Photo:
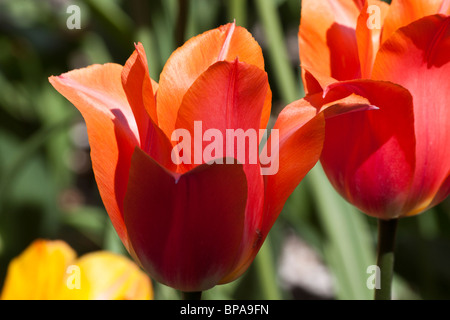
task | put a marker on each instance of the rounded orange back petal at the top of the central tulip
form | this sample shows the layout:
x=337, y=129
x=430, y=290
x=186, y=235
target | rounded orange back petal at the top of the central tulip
x=188, y=62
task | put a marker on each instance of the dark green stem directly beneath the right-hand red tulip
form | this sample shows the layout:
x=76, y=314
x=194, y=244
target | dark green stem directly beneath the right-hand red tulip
x=385, y=257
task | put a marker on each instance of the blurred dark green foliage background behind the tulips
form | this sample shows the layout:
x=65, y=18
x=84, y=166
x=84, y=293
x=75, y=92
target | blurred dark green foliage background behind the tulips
x=320, y=247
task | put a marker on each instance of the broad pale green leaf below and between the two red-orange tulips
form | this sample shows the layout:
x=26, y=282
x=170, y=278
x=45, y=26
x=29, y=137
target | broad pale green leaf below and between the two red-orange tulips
x=349, y=248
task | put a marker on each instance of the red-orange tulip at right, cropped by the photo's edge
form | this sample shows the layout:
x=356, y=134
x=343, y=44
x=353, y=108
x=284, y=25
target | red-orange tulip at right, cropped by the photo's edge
x=395, y=161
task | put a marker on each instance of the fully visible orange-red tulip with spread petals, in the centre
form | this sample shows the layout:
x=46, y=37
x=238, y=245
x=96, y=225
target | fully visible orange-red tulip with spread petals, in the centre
x=191, y=217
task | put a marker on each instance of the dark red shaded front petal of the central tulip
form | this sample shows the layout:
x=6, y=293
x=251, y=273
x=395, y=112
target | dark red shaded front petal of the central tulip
x=185, y=229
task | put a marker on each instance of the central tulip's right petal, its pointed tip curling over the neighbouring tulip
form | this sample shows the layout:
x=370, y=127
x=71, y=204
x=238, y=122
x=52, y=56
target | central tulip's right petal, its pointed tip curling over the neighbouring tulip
x=301, y=132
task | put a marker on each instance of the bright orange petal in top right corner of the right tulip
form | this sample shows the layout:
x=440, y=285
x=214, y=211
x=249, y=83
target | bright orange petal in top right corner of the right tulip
x=404, y=12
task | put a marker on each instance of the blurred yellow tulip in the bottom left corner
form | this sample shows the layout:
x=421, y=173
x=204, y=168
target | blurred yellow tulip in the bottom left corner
x=50, y=270
